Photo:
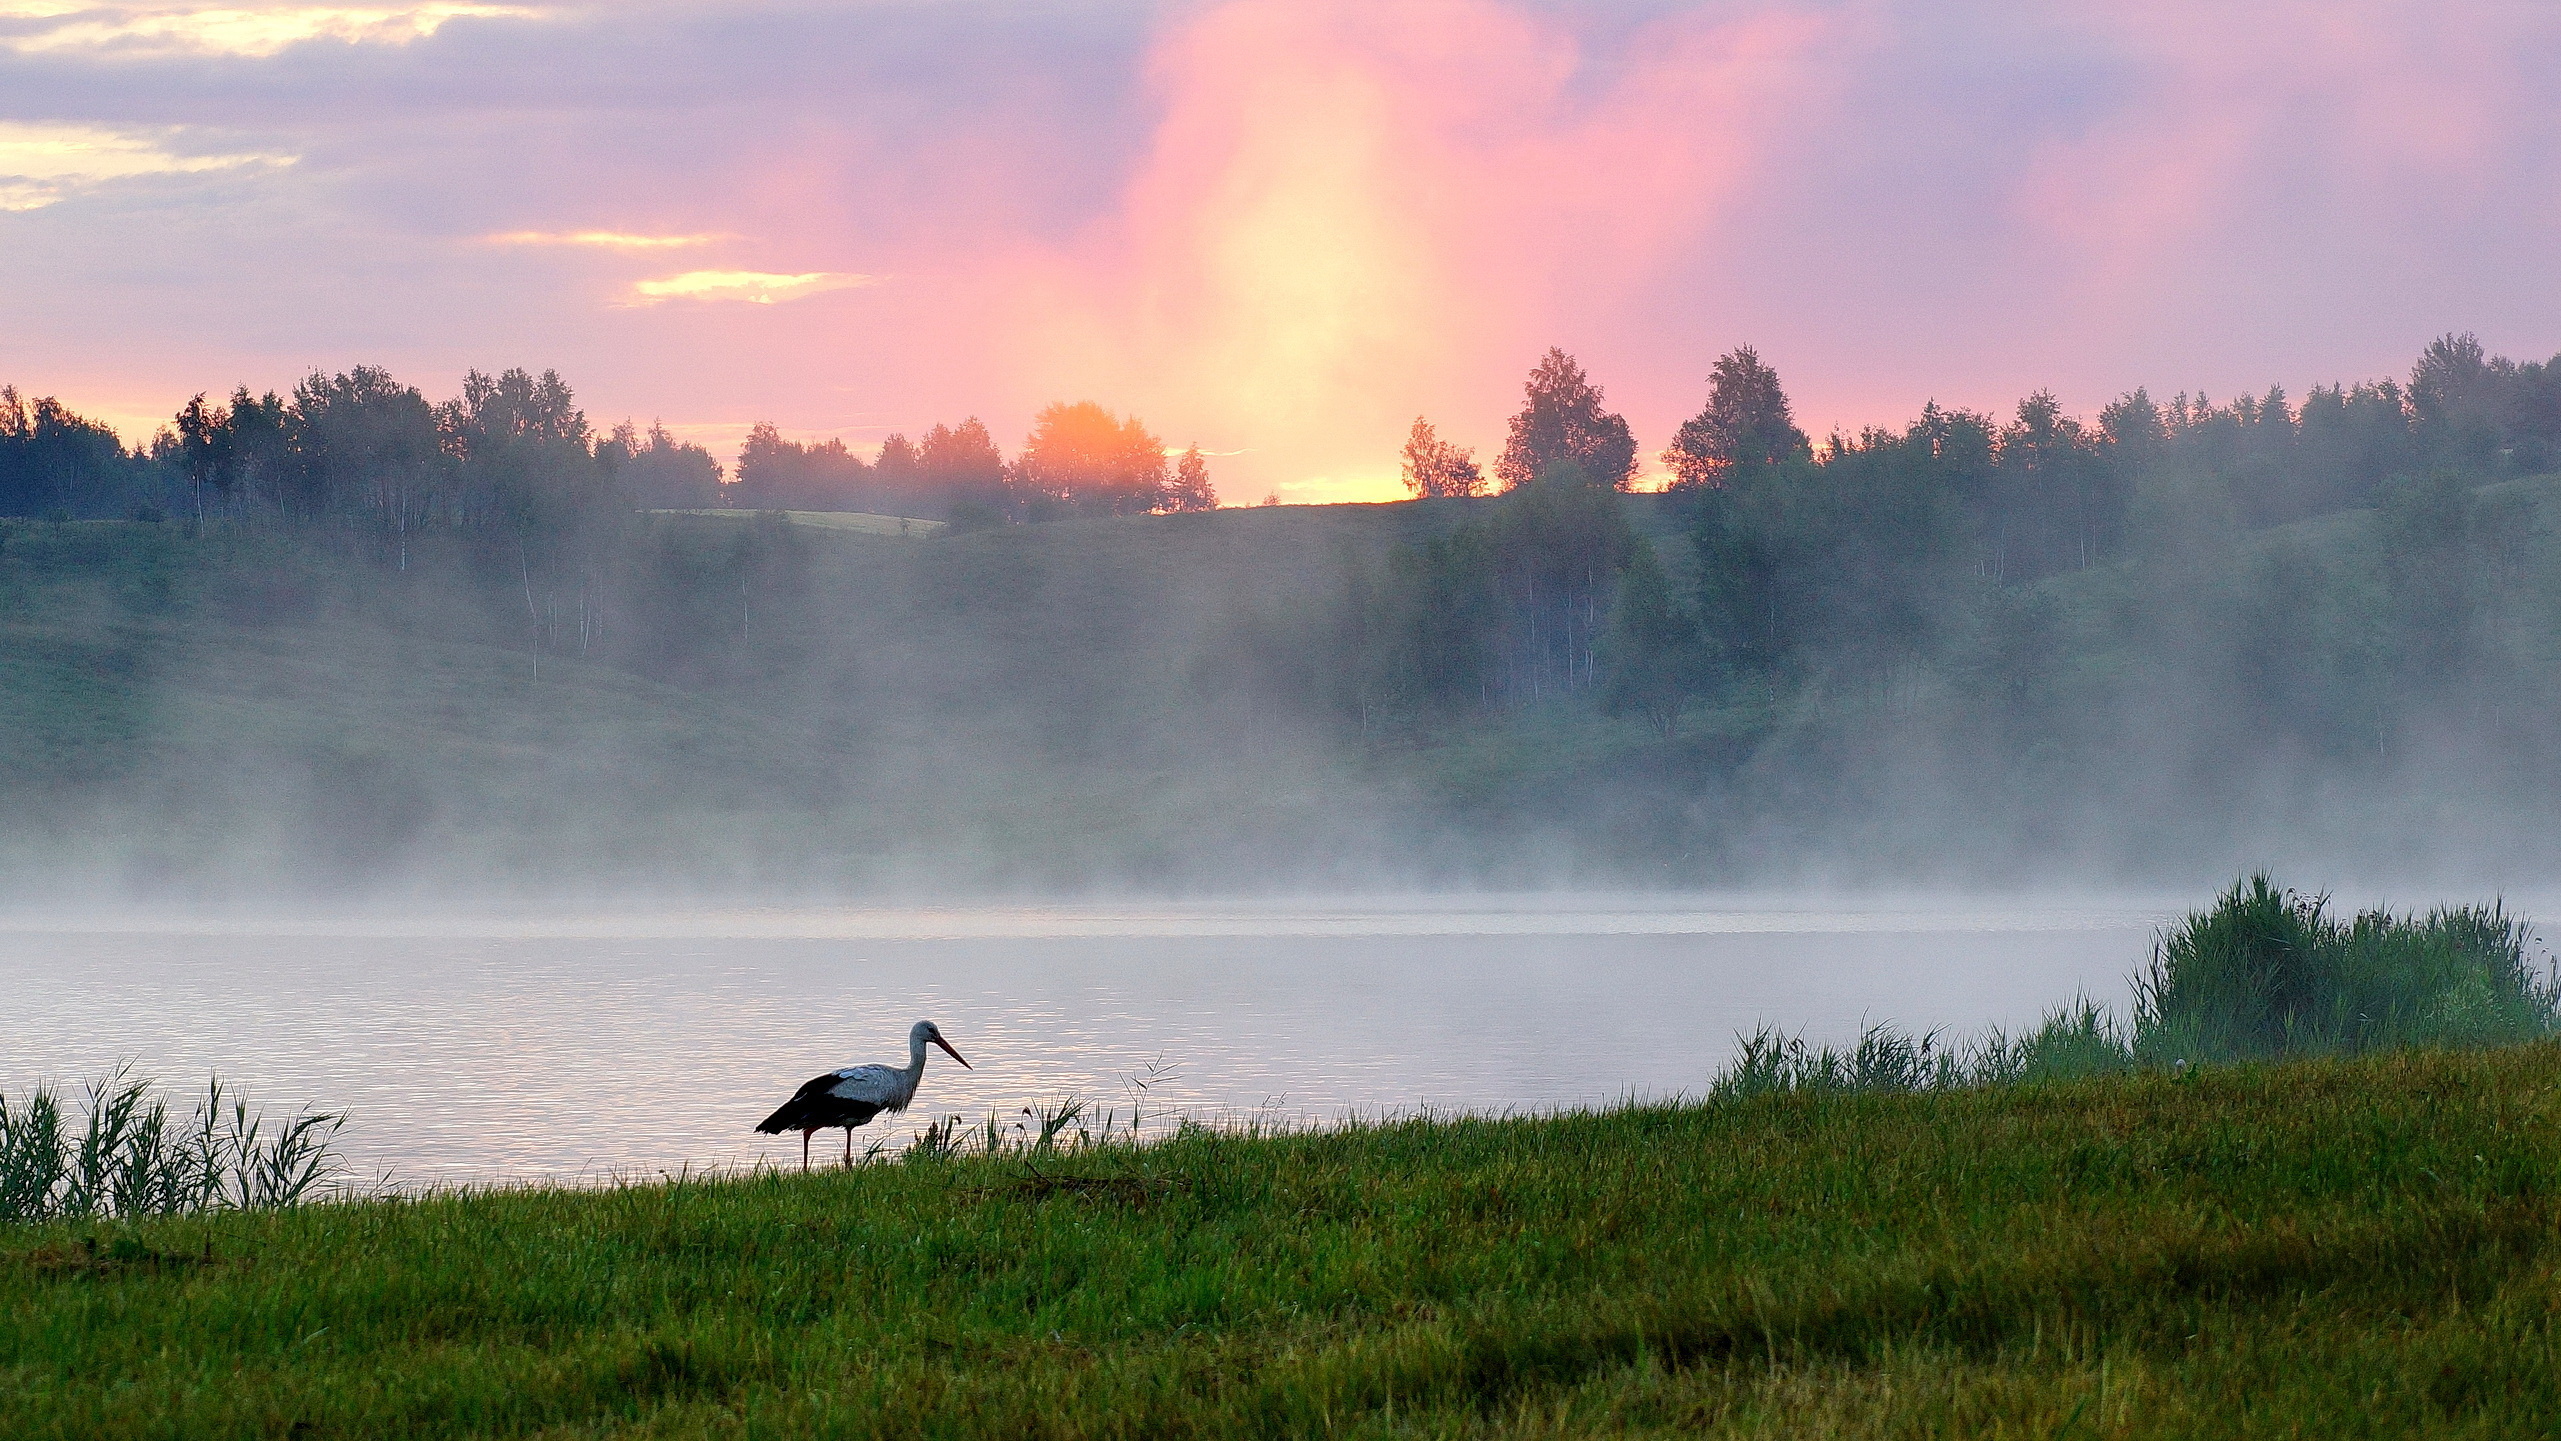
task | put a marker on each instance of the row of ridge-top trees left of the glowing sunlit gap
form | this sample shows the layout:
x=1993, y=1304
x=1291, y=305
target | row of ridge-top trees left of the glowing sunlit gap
x=513, y=457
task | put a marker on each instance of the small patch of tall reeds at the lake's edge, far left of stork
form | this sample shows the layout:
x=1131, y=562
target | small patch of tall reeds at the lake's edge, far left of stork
x=127, y=1156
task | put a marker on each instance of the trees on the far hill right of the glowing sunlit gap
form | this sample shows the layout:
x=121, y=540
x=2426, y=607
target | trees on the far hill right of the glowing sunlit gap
x=1866, y=549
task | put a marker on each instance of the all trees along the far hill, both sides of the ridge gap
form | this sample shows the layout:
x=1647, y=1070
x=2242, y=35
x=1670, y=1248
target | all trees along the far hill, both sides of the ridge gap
x=1540, y=585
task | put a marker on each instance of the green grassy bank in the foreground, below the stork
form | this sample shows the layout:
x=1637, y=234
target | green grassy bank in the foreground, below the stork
x=2363, y=1248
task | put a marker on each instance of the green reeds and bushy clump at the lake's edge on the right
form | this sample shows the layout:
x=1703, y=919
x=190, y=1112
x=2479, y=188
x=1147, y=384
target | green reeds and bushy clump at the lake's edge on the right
x=2265, y=974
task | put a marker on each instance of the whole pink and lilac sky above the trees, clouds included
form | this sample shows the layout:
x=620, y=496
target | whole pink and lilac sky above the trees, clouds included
x=1277, y=229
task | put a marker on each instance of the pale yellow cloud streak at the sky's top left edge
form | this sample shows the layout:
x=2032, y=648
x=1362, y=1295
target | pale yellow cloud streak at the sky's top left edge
x=232, y=29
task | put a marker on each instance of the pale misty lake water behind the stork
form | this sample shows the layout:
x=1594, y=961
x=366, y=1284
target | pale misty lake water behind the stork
x=483, y=1051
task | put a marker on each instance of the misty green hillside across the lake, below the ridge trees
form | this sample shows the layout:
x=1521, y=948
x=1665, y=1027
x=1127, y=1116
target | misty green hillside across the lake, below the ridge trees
x=721, y=703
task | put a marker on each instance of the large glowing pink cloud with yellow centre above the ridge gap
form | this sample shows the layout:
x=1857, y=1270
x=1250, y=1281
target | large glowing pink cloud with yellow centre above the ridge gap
x=1353, y=214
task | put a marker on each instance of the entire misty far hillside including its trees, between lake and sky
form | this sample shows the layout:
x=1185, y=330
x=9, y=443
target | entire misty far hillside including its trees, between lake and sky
x=2163, y=641
